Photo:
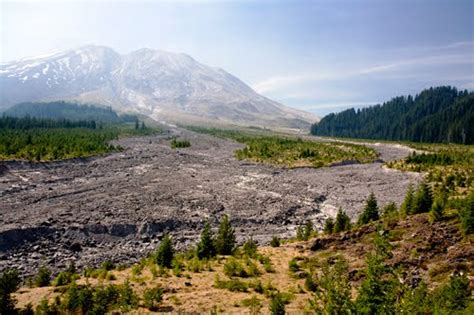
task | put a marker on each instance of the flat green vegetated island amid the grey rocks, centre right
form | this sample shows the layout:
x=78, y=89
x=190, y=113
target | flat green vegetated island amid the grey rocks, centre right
x=292, y=152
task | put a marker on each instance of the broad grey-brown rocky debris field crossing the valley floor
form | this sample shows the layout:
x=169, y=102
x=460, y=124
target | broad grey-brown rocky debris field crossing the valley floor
x=116, y=207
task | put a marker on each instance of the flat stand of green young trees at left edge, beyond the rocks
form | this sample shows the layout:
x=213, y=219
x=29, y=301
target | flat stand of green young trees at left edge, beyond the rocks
x=38, y=139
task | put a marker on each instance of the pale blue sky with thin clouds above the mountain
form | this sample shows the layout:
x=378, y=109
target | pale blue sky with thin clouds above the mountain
x=320, y=56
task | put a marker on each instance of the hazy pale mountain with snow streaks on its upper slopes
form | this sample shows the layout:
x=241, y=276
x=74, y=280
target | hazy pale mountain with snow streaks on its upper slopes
x=167, y=86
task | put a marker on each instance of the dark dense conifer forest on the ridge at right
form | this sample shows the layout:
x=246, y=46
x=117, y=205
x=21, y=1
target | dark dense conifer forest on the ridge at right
x=441, y=114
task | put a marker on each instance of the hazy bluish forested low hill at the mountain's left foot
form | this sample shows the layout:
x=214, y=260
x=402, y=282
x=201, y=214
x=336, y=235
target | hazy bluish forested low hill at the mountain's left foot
x=70, y=111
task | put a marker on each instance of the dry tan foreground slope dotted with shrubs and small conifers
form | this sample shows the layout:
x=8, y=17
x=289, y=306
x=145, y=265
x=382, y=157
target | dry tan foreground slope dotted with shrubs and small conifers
x=417, y=264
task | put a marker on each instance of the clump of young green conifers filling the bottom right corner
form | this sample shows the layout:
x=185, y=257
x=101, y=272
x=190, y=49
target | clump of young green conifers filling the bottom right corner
x=382, y=291
